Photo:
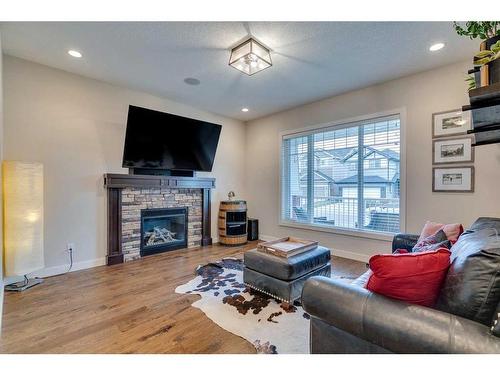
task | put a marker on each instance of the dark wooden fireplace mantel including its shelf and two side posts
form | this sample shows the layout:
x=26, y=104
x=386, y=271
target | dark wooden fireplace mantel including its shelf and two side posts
x=114, y=183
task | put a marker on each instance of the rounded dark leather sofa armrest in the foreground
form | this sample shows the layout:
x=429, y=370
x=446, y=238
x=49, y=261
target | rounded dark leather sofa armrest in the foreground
x=394, y=325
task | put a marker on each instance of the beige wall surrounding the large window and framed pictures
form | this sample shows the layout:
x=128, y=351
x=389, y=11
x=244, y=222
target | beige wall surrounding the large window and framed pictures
x=422, y=94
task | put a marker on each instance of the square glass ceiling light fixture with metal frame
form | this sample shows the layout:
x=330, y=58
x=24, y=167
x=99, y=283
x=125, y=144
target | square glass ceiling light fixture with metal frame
x=250, y=57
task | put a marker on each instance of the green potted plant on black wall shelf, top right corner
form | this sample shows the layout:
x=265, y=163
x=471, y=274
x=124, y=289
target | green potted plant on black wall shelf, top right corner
x=488, y=59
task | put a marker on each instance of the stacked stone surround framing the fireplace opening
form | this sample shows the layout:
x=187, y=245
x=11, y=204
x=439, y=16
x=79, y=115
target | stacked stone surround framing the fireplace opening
x=136, y=199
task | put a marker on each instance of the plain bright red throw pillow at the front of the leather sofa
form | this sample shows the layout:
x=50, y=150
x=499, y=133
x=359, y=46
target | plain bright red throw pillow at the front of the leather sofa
x=413, y=277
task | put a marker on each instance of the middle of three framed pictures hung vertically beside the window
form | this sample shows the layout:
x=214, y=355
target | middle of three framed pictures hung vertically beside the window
x=452, y=150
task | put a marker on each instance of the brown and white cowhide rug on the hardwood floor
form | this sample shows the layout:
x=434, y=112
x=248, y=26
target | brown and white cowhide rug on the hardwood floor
x=270, y=325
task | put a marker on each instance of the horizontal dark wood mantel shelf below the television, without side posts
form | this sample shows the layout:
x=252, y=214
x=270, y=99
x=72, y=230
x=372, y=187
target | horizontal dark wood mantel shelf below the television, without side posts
x=121, y=181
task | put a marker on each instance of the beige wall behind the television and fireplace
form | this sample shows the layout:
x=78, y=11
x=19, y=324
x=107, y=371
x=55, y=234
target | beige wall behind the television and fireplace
x=75, y=126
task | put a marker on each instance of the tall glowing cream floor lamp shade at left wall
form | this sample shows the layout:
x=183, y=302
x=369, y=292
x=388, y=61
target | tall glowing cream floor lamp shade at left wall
x=23, y=217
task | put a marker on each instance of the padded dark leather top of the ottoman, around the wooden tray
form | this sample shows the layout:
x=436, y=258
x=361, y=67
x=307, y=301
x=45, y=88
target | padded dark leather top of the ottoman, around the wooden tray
x=287, y=268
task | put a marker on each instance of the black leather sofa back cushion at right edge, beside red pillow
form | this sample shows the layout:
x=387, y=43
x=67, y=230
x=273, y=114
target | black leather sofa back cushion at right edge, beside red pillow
x=472, y=286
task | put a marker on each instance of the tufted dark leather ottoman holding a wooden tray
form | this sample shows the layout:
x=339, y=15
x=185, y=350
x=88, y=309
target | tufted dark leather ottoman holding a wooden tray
x=283, y=278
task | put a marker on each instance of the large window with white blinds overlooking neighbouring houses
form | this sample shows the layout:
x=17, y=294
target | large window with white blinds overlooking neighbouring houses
x=358, y=188
